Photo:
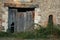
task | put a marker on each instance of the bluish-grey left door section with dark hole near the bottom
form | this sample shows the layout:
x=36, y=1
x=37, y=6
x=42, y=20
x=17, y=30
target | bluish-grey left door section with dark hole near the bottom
x=12, y=20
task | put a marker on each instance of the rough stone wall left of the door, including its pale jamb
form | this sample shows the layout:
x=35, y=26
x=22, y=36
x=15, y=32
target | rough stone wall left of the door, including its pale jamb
x=3, y=17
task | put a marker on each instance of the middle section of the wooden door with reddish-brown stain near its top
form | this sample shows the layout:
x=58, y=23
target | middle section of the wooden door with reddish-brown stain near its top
x=20, y=21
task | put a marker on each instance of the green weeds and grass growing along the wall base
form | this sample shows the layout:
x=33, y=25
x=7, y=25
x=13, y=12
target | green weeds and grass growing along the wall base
x=41, y=33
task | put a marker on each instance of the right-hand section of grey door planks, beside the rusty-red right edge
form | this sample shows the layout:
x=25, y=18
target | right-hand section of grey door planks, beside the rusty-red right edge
x=28, y=20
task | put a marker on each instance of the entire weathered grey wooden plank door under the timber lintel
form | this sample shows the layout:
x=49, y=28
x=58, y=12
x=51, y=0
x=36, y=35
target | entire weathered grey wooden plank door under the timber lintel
x=20, y=21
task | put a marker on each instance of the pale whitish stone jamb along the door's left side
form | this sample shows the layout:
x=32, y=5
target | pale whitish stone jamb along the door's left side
x=5, y=19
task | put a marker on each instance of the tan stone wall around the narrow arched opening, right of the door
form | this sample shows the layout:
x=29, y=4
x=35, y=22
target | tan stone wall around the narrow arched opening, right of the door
x=49, y=7
